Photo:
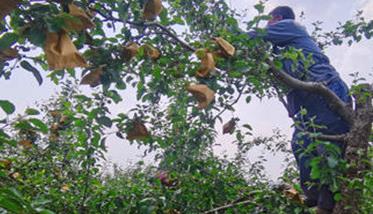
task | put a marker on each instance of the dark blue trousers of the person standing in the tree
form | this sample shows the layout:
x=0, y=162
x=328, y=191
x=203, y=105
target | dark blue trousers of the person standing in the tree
x=318, y=109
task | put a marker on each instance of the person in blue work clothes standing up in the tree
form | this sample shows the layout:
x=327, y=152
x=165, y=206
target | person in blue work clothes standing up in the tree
x=284, y=33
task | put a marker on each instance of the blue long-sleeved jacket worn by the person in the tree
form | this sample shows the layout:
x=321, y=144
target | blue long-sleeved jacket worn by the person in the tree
x=288, y=33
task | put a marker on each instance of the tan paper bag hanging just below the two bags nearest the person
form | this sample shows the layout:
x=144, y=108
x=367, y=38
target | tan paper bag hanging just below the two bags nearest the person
x=203, y=94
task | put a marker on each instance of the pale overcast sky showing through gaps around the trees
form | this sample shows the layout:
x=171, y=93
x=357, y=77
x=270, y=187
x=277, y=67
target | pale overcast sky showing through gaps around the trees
x=265, y=115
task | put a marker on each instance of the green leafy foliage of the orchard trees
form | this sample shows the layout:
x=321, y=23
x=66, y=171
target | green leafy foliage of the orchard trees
x=53, y=154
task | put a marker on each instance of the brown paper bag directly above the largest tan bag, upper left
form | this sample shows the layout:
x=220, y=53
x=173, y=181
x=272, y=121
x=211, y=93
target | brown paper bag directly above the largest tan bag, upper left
x=82, y=21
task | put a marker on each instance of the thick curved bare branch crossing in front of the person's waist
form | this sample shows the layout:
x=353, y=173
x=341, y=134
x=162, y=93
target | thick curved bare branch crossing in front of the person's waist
x=335, y=103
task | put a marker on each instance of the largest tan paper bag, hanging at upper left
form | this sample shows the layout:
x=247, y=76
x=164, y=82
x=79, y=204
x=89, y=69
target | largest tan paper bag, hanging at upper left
x=61, y=53
